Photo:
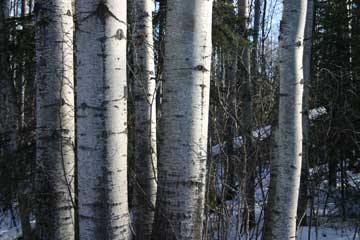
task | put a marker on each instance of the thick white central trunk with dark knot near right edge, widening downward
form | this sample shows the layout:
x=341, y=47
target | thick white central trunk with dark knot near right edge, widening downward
x=184, y=124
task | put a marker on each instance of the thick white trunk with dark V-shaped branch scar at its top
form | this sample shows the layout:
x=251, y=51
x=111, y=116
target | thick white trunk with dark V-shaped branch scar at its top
x=102, y=119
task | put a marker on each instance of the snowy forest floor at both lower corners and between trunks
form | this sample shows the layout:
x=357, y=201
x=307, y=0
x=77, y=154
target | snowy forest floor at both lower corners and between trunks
x=327, y=224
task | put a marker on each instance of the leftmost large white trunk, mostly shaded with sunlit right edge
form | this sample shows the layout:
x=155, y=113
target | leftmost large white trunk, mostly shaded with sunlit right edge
x=55, y=119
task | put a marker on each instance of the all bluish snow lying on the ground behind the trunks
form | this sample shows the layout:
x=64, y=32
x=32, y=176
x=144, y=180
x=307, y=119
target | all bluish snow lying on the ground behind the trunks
x=329, y=227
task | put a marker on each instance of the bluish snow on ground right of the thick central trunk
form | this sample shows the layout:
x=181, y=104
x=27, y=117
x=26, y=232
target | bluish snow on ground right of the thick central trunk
x=330, y=226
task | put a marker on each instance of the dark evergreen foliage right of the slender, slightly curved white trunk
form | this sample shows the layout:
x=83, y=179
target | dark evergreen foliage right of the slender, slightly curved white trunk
x=335, y=85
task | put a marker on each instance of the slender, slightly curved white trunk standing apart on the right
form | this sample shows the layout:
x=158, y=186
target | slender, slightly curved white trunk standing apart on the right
x=287, y=163
